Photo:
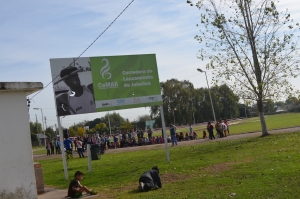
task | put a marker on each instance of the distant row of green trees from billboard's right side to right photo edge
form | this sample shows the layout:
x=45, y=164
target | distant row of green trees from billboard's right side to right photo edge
x=184, y=104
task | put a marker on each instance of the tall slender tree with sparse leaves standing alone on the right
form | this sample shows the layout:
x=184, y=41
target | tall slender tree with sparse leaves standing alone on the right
x=251, y=45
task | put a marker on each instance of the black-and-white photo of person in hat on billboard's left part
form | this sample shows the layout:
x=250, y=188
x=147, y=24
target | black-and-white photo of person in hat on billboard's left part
x=73, y=86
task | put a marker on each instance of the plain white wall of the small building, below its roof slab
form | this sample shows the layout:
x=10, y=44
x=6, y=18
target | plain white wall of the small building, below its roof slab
x=17, y=178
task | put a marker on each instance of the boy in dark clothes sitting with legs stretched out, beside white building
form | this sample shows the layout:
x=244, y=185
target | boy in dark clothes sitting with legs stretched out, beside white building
x=76, y=189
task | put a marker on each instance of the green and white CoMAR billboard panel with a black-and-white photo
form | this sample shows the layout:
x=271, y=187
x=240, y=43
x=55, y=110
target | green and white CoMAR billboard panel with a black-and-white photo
x=95, y=84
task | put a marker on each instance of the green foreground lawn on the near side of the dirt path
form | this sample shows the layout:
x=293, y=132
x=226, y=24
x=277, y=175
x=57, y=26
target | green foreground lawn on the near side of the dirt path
x=262, y=167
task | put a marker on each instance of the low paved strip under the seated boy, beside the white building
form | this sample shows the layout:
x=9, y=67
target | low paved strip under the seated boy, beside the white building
x=51, y=193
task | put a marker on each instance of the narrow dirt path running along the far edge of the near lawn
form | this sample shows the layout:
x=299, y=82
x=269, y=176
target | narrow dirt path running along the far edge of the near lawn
x=183, y=143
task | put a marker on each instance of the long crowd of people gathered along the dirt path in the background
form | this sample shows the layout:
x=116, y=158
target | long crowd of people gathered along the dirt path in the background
x=135, y=138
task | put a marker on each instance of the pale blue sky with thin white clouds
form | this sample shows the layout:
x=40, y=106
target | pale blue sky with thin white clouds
x=32, y=32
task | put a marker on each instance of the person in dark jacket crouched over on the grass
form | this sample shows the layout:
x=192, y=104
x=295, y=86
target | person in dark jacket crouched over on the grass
x=150, y=180
